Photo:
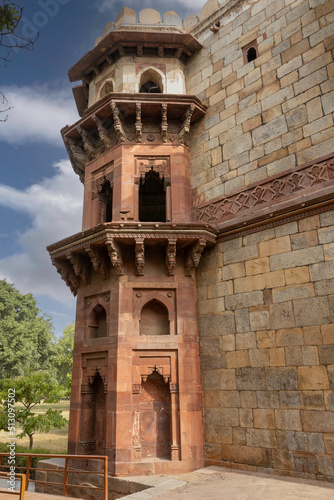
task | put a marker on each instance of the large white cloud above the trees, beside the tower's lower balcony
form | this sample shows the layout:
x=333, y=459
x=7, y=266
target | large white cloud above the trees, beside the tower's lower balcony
x=55, y=209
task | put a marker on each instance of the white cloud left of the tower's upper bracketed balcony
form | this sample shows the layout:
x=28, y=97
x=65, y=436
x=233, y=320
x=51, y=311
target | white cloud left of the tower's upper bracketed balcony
x=29, y=119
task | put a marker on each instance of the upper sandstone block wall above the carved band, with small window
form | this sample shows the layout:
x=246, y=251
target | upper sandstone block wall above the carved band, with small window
x=268, y=115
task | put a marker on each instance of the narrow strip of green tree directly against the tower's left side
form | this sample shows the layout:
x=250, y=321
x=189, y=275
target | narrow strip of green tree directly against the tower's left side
x=64, y=357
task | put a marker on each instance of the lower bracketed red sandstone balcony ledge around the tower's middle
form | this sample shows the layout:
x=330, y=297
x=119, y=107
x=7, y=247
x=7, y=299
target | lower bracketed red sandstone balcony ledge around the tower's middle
x=105, y=249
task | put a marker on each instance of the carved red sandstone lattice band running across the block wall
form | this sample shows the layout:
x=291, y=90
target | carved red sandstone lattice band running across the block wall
x=308, y=186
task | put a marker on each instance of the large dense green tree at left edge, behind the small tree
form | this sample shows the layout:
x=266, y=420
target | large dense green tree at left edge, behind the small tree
x=27, y=341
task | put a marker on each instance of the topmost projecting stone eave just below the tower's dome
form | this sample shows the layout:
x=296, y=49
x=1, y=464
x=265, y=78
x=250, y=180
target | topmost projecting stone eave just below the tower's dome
x=127, y=39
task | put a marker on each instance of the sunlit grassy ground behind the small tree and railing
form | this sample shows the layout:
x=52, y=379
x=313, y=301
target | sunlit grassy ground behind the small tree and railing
x=55, y=441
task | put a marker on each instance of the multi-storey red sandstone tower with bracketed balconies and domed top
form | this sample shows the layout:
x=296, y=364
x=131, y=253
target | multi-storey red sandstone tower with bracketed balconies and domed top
x=136, y=389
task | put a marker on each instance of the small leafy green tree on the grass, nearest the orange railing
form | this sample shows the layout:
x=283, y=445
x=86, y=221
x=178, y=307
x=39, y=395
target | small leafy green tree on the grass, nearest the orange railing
x=31, y=390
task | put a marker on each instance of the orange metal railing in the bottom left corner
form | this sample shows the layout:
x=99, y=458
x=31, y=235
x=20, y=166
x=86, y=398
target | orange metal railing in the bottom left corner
x=65, y=484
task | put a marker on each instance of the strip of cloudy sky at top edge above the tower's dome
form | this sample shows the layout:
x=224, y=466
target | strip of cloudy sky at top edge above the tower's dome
x=179, y=6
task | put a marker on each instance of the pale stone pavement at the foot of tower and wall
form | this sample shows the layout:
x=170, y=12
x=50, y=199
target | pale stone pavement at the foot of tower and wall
x=217, y=483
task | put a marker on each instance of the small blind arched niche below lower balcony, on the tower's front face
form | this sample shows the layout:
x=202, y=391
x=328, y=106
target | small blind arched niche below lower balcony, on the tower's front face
x=154, y=319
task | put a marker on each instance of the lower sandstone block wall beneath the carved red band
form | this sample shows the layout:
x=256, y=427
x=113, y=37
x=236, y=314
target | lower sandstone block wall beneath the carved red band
x=266, y=306
